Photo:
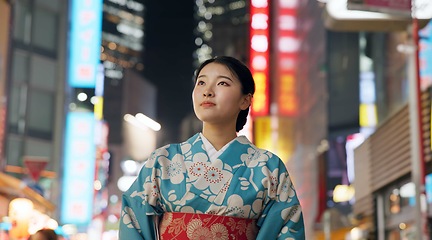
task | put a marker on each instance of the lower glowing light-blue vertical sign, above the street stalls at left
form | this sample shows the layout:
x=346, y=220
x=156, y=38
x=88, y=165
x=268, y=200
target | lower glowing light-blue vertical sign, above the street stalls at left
x=79, y=168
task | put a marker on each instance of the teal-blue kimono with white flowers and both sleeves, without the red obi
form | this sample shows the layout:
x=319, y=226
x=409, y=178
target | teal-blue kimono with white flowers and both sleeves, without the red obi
x=244, y=181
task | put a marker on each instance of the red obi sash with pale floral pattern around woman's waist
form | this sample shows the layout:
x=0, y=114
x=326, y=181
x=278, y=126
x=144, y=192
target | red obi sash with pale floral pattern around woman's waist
x=178, y=225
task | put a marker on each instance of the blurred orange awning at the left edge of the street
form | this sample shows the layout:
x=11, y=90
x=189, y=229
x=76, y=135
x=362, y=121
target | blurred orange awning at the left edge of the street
x=13, y=187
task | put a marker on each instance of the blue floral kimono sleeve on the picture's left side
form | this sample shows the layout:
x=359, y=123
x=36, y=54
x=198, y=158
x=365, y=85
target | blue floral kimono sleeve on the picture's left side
x=141, y=207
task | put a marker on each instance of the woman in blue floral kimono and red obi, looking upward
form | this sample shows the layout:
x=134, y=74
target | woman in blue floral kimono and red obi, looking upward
x=216, y=185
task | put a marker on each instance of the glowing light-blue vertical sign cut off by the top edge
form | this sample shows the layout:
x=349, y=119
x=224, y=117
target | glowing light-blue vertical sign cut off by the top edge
x=85, y=42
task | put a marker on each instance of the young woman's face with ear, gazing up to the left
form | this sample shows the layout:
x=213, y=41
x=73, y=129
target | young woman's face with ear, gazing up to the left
x=217, y=96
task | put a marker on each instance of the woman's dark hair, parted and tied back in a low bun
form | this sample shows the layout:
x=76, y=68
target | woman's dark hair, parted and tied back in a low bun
x=244, y=75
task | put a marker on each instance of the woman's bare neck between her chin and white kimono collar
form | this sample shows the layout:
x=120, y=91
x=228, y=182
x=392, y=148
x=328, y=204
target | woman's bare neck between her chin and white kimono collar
x=219, y=136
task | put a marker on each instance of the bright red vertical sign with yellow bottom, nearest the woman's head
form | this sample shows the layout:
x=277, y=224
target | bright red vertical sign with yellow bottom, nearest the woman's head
x=259, y=56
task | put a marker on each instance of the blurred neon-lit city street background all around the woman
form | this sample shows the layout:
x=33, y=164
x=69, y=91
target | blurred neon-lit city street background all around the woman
x=90, y=88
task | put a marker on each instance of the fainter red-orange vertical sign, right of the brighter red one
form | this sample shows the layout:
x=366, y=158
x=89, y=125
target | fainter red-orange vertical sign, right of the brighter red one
x=286, y=54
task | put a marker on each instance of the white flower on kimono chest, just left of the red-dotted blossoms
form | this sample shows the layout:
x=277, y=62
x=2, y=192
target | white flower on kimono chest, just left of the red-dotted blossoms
x=172, y=169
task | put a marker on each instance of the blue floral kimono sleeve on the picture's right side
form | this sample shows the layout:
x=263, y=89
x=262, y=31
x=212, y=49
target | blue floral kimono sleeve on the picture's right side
x=282, y=217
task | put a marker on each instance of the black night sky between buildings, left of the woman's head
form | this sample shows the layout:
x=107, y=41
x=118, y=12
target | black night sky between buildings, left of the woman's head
x=168, y=61
